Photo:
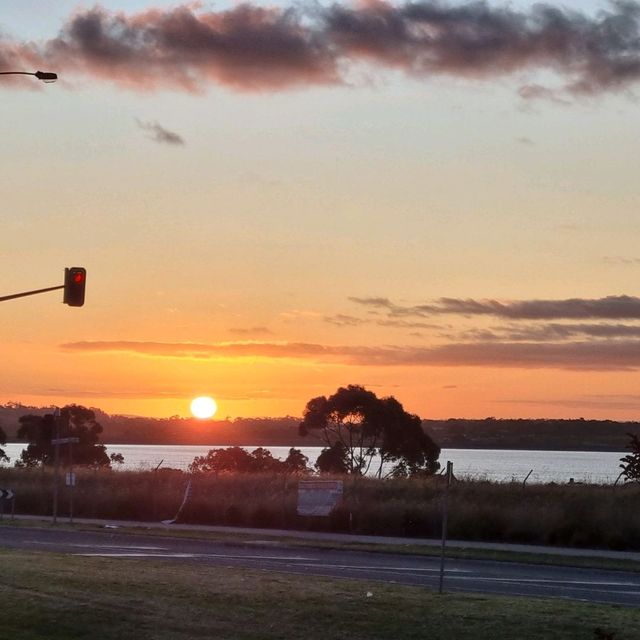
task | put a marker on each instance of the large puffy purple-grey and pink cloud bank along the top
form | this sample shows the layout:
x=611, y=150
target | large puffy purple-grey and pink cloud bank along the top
x=254, y=48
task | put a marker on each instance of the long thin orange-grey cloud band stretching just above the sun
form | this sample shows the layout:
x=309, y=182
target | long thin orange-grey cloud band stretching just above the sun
x=598, y=355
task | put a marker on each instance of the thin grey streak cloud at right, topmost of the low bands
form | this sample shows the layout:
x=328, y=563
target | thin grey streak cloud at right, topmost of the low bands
x=609, y=308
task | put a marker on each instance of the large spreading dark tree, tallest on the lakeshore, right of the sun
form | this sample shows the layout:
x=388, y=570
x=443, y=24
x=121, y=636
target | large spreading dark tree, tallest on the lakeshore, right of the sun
x=365, y=434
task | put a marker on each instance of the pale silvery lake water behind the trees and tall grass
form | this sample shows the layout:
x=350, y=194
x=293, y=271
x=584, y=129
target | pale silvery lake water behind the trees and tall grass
x=501, y=465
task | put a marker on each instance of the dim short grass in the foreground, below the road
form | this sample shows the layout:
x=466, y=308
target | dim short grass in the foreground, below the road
x=64, y=597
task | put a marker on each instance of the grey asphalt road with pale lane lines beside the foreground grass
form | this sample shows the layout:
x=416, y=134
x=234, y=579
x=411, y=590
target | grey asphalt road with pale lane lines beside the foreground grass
x=479, y=576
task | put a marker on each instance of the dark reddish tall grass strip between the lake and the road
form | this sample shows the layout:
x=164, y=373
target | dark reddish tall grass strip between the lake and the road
x=566, y=515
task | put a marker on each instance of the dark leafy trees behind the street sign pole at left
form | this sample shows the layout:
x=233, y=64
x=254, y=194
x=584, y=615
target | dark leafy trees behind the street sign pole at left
x=75, y=421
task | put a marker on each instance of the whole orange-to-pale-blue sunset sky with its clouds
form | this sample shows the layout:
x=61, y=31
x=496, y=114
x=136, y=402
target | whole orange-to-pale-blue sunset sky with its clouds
x=436, y=200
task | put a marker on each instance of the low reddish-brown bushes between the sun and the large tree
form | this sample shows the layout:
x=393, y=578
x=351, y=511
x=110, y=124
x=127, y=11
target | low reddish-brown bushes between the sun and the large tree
x=239, y=460
